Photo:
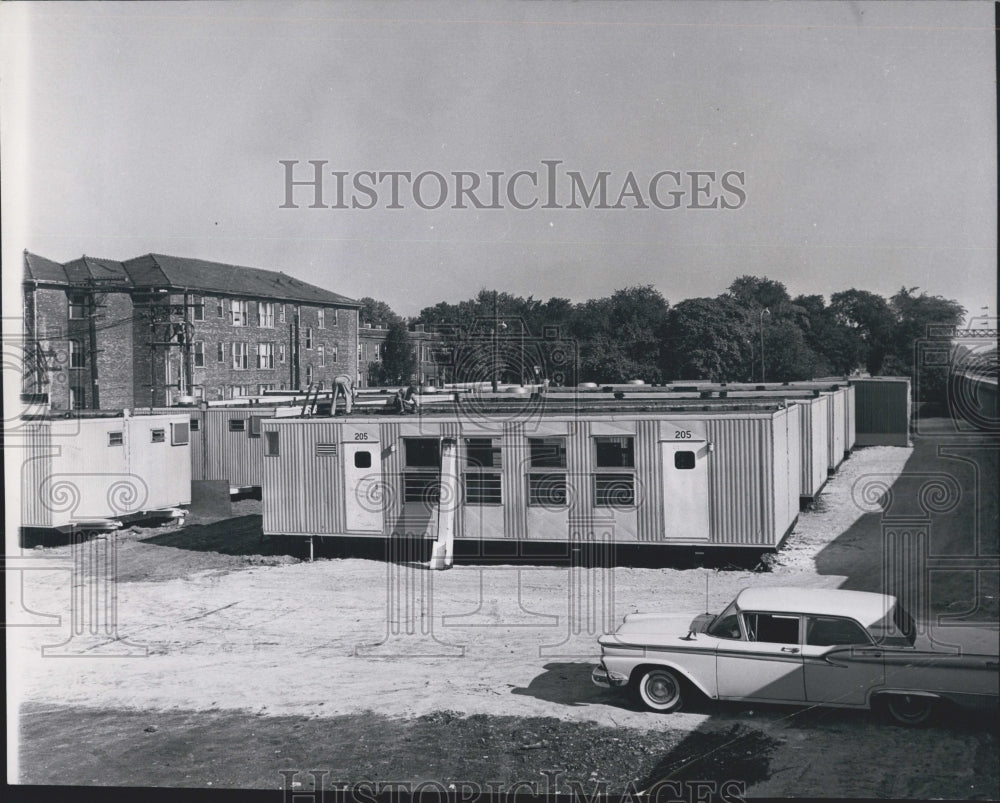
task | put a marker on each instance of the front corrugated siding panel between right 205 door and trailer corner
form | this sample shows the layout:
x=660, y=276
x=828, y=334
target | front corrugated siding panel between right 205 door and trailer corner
x=739, y=481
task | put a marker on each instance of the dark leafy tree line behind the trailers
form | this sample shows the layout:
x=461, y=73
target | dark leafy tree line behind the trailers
x=752, y=332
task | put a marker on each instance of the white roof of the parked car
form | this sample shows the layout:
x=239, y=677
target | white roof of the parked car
x=864, y=606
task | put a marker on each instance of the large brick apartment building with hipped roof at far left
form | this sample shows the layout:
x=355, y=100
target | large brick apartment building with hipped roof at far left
x=102, y=334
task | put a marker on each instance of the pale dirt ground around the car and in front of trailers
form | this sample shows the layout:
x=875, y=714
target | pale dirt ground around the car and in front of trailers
x=237, y=661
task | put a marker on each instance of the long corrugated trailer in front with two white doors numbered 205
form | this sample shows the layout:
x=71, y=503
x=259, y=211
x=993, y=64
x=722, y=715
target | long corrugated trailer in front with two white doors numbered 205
x=725, y=475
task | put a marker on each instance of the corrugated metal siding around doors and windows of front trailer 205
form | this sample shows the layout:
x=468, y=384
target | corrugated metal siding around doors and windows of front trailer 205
x=751, y=490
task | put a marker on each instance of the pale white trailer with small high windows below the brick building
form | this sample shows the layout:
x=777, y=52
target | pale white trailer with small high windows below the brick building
x=80, y=470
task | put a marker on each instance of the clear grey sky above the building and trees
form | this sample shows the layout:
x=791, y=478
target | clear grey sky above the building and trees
x=863, y=135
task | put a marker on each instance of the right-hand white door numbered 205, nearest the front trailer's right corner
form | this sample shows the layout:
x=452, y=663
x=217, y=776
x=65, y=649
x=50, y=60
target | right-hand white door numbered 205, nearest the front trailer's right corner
x=684, y=460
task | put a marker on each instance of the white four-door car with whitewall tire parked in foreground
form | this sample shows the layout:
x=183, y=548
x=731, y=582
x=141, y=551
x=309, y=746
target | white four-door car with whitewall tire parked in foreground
x=801, y=646
